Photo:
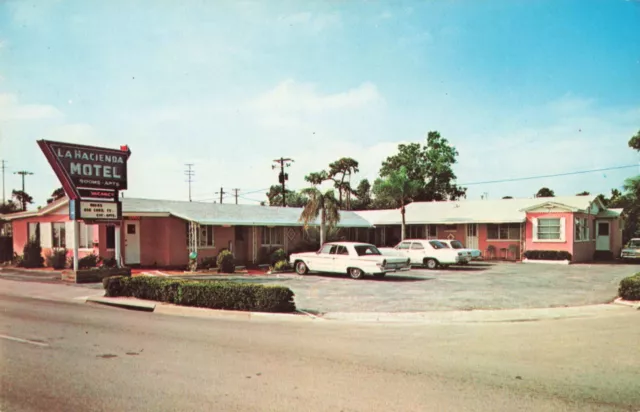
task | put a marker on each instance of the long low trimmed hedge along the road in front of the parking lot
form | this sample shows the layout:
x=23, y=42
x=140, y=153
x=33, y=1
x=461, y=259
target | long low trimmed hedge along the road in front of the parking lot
x=205, y=294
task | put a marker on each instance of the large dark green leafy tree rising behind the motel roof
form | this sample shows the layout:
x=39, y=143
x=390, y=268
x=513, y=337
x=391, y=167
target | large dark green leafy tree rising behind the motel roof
x=430, y=165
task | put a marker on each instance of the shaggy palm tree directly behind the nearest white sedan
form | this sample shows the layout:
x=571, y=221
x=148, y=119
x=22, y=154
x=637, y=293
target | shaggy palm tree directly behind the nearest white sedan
x=323, y=205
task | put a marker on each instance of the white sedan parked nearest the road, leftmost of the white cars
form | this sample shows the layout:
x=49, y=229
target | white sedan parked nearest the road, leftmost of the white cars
x=353, y=258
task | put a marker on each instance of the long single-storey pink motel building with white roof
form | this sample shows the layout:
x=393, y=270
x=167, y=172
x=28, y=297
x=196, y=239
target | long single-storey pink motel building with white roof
x=157, y=232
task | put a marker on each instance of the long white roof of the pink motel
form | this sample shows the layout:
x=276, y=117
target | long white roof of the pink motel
x=449, y=212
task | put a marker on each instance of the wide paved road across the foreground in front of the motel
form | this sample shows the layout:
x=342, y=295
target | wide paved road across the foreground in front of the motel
x=76, y=357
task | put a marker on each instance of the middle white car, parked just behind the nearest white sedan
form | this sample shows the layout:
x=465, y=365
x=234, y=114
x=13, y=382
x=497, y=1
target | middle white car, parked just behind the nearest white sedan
x=427, y=253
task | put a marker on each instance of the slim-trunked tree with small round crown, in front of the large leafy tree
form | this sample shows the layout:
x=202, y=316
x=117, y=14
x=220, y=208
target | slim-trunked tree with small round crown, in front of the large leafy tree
x=399, y=189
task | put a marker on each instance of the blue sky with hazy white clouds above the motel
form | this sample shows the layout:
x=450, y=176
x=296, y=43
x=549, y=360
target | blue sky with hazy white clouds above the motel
x=520, y=88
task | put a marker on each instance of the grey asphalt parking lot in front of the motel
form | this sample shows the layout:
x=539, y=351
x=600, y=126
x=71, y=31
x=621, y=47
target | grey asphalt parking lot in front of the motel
x=478, y=286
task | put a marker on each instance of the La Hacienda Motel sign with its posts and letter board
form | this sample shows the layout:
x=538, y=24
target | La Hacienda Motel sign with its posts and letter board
x=91, y=177
